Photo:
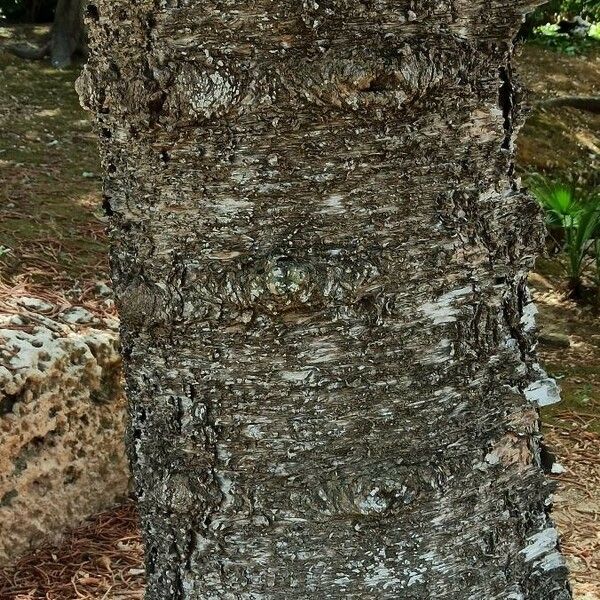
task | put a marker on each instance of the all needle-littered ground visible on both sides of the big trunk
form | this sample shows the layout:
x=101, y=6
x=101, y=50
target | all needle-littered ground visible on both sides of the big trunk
x=52, y=243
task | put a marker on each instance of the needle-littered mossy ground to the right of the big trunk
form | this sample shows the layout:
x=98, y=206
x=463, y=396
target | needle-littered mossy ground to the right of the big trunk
x=566, y=142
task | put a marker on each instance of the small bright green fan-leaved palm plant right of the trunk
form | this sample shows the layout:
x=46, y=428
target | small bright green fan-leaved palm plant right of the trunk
x=573, y=219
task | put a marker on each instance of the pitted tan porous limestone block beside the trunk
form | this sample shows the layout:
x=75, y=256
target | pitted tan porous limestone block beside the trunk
x=62, y=419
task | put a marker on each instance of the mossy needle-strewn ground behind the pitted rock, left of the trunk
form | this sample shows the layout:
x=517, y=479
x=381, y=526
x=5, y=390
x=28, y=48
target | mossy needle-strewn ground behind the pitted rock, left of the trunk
x=52, y=232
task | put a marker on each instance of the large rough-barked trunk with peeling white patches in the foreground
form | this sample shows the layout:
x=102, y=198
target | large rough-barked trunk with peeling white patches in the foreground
x=320, y=252
